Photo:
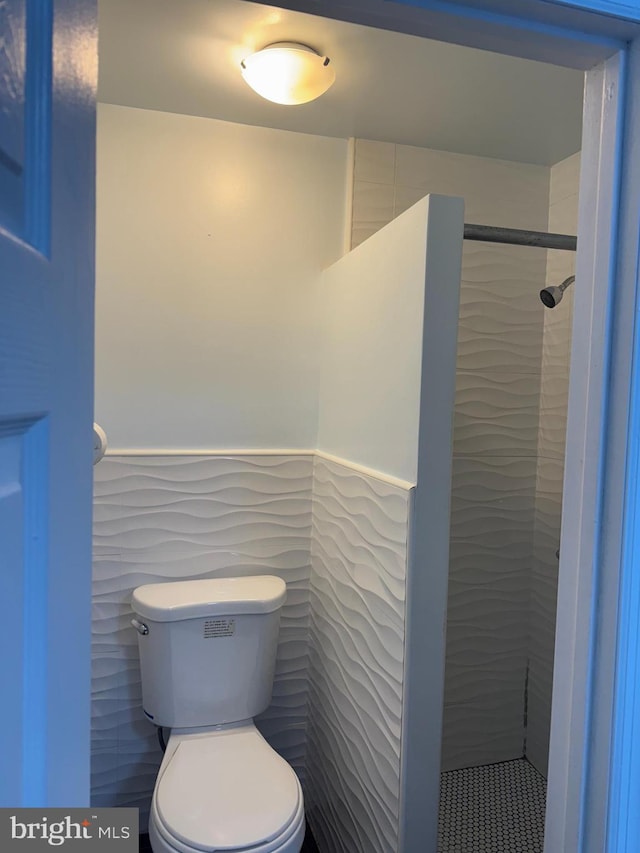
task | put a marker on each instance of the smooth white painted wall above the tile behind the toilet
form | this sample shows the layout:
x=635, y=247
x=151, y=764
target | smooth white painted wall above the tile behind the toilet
x=211, y=239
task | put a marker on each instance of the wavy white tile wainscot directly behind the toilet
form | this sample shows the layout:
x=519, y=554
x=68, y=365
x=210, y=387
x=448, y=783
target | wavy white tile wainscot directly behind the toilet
x=173, y=518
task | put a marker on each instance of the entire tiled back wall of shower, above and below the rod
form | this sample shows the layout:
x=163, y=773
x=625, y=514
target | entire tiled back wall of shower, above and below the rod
x=495, y=430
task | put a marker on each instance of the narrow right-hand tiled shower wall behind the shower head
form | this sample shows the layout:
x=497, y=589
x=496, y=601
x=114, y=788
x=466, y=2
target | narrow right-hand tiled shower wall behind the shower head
x=554, y=388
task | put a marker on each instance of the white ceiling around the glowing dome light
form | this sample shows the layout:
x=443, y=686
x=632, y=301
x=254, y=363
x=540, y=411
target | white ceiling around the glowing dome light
x=183, y=56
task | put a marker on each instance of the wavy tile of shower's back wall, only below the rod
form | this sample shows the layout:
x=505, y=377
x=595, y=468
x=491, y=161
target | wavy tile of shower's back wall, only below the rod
x=492, y=513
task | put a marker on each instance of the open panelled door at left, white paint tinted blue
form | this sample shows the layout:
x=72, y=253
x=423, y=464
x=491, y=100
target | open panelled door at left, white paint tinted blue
x=47, y=151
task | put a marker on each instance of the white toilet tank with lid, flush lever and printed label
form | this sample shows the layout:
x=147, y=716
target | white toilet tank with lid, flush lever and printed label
x=207, y=648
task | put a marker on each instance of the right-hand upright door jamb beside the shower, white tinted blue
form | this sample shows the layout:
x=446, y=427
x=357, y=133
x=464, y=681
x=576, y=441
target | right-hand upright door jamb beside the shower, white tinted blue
x=587, y=582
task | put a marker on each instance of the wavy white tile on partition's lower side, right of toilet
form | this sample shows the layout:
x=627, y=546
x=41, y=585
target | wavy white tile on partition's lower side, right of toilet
x=359, y=556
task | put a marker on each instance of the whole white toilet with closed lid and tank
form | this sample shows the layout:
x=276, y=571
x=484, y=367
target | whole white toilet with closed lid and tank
x=207, y=658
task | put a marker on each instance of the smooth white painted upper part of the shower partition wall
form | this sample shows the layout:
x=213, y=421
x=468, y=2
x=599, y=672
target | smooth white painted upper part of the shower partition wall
x=371, y=364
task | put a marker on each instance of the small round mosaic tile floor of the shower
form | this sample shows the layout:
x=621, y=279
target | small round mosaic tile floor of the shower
x=495, y=808
